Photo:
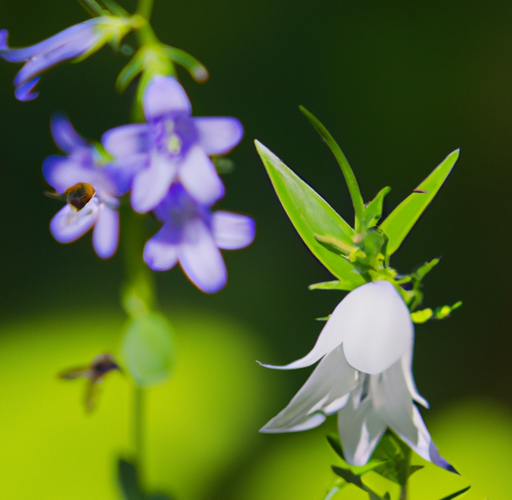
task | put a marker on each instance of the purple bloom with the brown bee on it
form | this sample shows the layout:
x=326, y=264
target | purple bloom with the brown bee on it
x=67, y=175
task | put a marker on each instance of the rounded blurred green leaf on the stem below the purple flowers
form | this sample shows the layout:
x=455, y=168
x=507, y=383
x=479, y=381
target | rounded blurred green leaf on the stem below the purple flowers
x=147, y=349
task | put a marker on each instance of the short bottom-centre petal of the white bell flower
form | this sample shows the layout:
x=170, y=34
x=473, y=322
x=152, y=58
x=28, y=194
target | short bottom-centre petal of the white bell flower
x=360, y=430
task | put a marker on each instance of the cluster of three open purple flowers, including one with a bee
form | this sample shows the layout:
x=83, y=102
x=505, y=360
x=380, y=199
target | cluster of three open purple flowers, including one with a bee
x=165, y=165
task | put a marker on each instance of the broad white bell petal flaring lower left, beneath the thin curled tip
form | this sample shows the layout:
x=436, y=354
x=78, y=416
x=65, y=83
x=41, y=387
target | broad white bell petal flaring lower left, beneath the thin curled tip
x=323, y=393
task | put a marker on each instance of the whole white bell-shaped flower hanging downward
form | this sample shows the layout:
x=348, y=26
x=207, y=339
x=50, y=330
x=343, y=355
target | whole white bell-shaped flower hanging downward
x=364, y=375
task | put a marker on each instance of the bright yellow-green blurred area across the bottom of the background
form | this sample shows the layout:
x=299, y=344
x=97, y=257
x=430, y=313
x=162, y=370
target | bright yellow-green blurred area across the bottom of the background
x=202, y=440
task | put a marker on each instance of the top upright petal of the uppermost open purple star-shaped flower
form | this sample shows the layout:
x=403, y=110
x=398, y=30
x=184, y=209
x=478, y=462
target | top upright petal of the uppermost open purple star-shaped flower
x=164, y=95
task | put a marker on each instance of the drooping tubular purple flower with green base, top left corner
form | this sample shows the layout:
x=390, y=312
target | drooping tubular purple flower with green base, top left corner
x=75, y=42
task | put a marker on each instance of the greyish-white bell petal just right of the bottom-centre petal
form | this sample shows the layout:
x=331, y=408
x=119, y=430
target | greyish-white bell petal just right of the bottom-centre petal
x=392, y=401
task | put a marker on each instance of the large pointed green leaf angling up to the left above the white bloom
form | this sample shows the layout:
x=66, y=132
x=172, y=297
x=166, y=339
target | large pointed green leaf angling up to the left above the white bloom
x=311, y=215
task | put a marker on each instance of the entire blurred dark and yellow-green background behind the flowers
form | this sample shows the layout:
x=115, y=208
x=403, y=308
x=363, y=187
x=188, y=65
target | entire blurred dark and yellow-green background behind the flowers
x=400, y=84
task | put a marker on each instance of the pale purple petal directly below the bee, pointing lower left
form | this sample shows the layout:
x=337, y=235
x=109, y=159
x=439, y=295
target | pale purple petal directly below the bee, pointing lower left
x=68, y=225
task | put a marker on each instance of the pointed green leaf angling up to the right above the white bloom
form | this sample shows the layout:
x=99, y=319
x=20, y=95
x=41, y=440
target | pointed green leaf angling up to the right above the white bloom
x=400, y=222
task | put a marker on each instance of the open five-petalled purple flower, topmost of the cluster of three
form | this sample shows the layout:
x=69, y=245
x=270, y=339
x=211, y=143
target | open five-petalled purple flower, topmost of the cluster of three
x=172, y=146
